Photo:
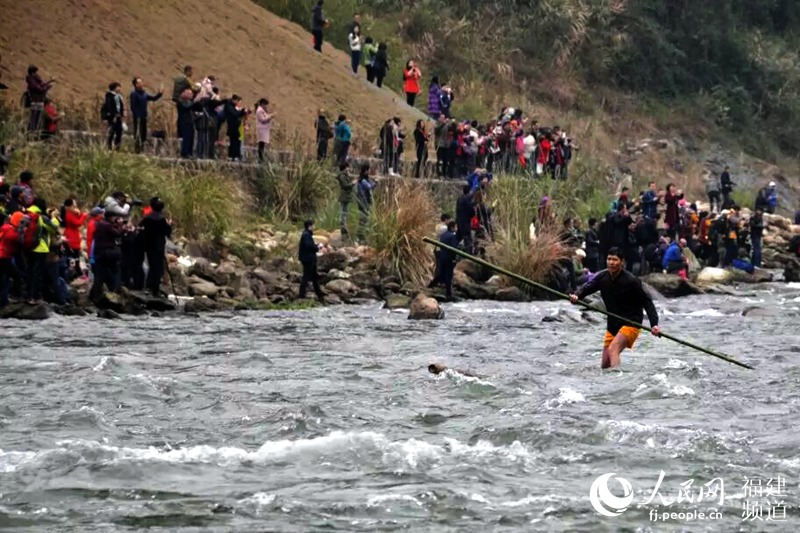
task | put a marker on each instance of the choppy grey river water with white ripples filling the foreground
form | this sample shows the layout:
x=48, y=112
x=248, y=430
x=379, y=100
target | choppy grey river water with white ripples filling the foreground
x=328, y=420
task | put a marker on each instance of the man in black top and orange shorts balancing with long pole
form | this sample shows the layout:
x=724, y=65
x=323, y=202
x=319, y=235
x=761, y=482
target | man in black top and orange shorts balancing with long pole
x=624, y=295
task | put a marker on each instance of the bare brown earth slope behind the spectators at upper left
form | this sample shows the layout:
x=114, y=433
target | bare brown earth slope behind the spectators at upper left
x=85, y=44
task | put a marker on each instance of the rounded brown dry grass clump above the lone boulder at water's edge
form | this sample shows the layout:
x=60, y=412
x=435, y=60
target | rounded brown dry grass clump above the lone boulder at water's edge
x=403, y=214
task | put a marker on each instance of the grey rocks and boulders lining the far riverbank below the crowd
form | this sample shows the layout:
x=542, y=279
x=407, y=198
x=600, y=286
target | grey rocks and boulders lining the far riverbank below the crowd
x=208, y=277
